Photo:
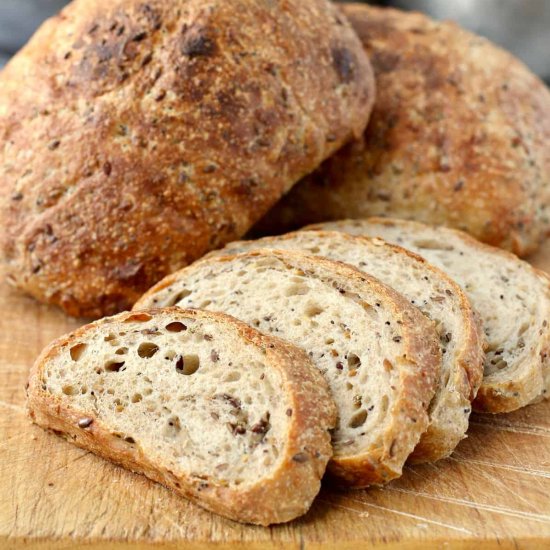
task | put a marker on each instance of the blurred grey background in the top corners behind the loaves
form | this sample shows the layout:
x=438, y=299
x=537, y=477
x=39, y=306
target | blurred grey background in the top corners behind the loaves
x=522, y=26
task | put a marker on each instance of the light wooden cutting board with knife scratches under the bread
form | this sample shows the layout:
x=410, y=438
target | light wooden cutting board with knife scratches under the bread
x=493, y=492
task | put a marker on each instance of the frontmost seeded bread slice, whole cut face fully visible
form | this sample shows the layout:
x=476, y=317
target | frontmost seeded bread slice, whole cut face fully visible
x=232, y=419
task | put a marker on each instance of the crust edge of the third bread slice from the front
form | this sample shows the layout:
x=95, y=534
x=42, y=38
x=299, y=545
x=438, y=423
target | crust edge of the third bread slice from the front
x=448, y=427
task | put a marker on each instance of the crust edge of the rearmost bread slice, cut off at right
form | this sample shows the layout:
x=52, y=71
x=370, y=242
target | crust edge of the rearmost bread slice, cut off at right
x=534, y=381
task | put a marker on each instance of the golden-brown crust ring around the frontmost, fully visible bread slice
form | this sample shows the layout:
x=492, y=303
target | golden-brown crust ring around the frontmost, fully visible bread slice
x=286, y=494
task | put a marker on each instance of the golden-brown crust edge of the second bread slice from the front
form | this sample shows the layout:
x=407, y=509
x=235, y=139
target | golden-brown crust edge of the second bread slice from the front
x=384, y=460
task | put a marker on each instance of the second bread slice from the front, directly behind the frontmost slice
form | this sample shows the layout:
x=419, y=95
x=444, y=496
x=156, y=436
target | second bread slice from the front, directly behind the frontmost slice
x=379, y=354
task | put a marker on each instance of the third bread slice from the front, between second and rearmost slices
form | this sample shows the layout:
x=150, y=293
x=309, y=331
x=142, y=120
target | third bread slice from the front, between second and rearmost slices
x=437, y=296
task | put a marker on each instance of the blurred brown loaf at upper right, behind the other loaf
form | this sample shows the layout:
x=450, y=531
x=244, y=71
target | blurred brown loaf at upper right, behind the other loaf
x=458, y=136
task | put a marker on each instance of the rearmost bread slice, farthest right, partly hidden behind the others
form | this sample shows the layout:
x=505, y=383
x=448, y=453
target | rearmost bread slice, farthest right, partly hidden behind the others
x=511, y=297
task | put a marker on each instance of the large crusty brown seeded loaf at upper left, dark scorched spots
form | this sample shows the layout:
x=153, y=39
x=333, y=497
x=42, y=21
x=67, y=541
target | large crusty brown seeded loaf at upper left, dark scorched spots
x=136, y=136
